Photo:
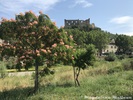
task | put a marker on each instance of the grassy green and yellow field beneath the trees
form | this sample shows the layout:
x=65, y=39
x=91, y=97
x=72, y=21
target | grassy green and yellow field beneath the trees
x=105, y=80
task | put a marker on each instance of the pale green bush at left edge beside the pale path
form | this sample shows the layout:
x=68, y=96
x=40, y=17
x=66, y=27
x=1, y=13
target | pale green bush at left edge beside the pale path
x=3, y=70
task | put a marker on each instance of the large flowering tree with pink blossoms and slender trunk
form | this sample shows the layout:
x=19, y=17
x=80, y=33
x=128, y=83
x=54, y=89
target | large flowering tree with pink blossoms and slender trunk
x=35, y=38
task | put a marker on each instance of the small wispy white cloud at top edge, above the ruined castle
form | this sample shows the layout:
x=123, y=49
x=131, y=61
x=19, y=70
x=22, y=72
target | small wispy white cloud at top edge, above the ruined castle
x=83, y=3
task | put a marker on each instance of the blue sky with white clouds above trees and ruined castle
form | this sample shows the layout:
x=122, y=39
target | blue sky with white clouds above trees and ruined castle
x=115, y=16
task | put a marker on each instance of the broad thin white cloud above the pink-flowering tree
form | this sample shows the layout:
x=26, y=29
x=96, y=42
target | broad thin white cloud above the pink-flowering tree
x=8, y=7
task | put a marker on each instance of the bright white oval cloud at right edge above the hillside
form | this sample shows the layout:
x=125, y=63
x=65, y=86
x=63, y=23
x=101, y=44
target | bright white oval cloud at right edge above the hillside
x=121, y=20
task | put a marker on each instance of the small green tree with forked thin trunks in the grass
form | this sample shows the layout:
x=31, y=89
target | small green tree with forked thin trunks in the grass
x=83, y=59
